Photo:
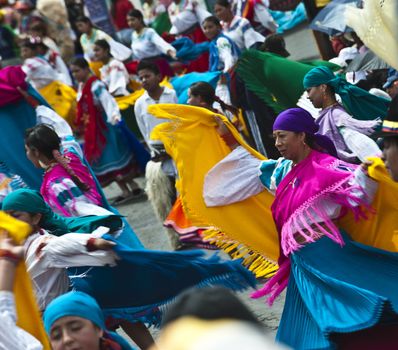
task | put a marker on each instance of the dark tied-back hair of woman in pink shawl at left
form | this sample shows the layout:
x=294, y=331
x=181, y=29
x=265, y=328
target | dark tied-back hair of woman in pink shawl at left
x=46, y=141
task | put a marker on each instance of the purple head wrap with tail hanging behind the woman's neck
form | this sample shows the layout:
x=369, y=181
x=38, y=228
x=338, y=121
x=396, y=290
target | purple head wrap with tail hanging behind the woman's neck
x=299, y=120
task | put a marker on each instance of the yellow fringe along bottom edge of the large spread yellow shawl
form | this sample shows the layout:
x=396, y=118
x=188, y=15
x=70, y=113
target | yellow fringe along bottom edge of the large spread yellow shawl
x=261, y=266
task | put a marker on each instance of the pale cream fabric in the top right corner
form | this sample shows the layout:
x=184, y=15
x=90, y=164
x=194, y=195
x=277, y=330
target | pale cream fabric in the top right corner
x=377, y=26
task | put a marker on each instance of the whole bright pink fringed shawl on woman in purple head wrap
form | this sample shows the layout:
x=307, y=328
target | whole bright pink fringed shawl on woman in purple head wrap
x=303, y=193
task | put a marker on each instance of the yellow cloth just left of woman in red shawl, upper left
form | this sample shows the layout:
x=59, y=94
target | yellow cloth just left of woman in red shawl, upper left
x=62, y=98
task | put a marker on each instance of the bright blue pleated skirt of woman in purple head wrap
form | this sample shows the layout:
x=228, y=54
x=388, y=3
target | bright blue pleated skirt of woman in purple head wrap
x=336, y=290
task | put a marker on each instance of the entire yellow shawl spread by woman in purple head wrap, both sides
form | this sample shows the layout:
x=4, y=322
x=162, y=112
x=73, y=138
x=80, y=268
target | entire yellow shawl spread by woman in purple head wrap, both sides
x=247, y=227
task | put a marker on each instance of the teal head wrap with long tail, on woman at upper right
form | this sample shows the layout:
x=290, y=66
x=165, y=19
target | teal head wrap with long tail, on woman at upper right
x=358, y=102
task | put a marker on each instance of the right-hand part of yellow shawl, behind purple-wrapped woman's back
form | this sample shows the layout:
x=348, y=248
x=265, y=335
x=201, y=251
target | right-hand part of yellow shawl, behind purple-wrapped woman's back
x=381, y=228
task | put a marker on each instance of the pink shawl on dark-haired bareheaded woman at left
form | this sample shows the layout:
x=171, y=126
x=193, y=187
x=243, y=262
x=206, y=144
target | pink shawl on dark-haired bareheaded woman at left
x=58, y=172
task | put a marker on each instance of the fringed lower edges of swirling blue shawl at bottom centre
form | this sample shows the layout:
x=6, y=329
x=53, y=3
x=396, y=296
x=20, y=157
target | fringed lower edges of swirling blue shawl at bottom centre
x=152, y=314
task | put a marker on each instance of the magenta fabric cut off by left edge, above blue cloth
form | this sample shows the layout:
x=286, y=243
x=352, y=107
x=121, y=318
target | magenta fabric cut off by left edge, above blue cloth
x=10, y=78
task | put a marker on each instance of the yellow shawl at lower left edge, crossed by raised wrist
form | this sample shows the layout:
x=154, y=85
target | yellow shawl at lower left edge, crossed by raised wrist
x=28, y=313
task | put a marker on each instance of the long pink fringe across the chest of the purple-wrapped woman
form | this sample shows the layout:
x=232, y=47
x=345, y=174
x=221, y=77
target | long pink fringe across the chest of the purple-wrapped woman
x=298, y=226
